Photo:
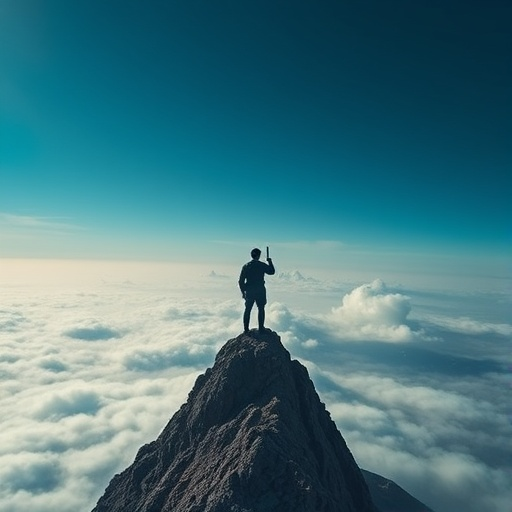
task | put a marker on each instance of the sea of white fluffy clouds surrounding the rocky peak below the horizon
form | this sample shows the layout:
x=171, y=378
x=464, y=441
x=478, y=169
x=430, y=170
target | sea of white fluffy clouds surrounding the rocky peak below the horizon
x=418, y=381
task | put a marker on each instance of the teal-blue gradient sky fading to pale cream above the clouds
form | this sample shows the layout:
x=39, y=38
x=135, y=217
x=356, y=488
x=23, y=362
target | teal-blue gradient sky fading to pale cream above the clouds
x=150, y=129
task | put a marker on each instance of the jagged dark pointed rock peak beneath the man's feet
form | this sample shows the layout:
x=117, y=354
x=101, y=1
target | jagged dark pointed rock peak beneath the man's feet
x=253, y=436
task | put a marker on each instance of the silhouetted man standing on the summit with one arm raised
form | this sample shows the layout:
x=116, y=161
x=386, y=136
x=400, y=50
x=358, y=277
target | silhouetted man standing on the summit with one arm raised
x=252, y=286
